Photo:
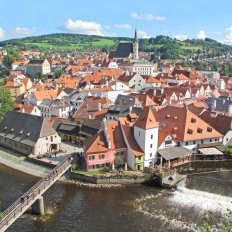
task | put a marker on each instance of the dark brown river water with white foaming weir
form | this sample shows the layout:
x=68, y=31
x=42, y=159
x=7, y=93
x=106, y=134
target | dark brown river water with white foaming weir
x=136, y=208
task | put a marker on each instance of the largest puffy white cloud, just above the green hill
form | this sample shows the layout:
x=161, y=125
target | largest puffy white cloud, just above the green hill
x=83, y=27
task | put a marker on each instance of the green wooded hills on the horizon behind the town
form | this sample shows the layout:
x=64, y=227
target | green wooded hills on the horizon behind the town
x=162, y=46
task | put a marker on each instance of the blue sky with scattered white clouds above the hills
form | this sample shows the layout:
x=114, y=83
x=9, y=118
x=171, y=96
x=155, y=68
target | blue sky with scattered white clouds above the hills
x=180, y=19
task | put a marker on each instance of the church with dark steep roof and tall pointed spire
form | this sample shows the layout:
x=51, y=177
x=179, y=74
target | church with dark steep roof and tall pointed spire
x=126, y=51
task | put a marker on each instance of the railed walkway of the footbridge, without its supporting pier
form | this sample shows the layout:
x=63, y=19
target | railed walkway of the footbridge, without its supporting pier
x=21, y=204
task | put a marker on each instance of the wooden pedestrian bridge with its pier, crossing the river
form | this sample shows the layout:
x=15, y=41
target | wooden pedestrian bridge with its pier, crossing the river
x=33, y=197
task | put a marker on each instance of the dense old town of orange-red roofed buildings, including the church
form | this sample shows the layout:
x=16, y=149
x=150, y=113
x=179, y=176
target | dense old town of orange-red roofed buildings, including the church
x=120, y=109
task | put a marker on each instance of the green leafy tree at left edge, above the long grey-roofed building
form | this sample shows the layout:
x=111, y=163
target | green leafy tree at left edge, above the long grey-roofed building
x=6, y=102
